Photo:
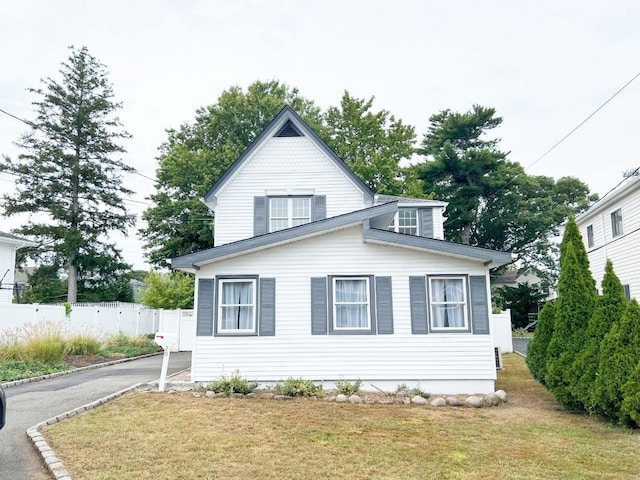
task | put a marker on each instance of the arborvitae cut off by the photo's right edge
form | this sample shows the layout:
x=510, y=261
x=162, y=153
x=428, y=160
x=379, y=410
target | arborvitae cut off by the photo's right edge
x=619, y=357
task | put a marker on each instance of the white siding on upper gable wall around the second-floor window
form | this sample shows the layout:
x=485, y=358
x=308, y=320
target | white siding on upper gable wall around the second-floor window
x=281, y=167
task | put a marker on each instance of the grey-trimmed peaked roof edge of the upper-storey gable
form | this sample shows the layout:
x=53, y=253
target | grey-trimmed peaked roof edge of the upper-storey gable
x=288, y=118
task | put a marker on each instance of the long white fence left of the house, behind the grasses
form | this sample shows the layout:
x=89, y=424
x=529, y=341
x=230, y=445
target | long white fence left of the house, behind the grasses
x=102, y=320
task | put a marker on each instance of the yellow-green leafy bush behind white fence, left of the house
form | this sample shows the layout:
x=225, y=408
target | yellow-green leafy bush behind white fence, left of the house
x=168, y=291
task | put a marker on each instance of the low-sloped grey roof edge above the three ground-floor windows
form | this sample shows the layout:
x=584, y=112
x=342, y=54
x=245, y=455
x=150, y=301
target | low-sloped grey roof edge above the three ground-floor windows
x=374, y=218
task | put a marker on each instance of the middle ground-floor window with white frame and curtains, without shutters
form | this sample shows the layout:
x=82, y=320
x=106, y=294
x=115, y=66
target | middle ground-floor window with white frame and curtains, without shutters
x=351, y=303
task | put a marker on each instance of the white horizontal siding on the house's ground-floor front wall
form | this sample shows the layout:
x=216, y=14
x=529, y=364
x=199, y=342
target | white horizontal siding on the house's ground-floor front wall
x=440, y=362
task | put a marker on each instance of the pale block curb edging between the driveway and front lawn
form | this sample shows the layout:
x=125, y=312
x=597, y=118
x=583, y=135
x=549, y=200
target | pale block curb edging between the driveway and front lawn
x=53, y=463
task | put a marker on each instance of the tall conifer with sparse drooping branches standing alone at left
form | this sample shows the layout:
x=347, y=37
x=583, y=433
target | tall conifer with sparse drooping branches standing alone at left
x=68, y=171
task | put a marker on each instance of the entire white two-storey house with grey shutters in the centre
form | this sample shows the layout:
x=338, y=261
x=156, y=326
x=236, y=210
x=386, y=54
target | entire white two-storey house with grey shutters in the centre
x=314, y=276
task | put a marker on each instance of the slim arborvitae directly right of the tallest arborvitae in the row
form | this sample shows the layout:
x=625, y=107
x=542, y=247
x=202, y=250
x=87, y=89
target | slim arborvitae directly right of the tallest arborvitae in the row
x=609, y=309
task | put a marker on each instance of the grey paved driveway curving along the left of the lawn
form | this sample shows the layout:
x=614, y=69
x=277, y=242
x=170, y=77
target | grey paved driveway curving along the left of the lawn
x=31, y=403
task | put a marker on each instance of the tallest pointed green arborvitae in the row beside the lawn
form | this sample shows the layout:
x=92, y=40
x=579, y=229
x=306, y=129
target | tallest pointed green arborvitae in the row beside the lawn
x=574, y=307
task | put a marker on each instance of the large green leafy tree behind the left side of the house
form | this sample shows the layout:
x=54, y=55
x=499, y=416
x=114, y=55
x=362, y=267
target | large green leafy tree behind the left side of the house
x=197, y=154
